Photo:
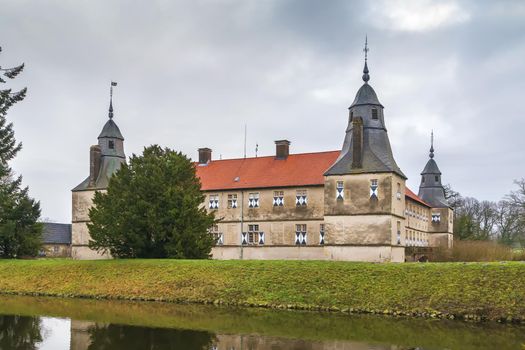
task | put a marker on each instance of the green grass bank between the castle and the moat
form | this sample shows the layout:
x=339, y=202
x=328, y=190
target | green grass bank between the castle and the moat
x=478, y=291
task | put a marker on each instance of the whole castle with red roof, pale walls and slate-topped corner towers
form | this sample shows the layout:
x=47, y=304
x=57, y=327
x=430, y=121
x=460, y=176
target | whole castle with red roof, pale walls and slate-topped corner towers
x=350, y=204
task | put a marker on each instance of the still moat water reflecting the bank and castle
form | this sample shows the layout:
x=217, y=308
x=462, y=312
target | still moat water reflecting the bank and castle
x=77, y=324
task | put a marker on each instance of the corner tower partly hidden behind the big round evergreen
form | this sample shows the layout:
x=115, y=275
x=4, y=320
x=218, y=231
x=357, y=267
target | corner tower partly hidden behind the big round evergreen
x=105, y=158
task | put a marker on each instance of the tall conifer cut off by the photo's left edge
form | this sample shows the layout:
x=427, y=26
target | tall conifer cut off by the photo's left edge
x=20, y=234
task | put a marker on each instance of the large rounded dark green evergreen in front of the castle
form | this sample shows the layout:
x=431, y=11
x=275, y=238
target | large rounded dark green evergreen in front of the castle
x=152, y=209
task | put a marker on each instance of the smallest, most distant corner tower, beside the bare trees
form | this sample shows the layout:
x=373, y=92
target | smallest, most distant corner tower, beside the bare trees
x=432, y=192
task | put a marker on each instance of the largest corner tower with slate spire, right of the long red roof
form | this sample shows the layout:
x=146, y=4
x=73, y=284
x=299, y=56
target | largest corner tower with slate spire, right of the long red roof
x=365, y=189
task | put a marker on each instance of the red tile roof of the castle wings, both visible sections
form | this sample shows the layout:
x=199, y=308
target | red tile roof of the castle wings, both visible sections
x=304, y=169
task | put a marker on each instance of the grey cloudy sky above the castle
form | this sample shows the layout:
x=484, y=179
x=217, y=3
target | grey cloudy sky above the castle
x=191, y=73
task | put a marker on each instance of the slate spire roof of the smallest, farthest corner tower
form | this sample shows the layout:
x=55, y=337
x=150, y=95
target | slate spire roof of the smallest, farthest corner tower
x=431, y=190
